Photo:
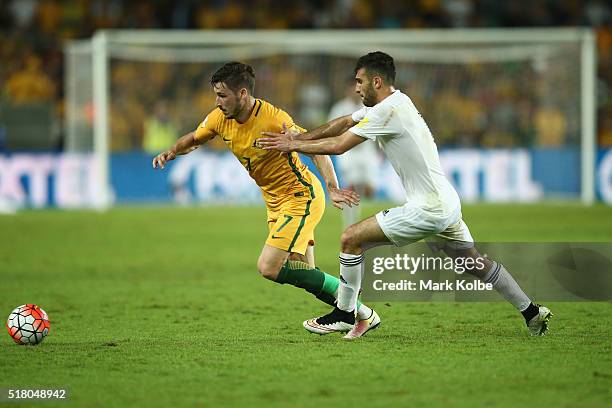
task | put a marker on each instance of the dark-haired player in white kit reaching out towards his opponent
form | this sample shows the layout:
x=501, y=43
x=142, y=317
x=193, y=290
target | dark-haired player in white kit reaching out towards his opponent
x=432, y=210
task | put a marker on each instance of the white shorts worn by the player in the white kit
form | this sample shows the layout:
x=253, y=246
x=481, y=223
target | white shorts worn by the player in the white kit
x=408, y=223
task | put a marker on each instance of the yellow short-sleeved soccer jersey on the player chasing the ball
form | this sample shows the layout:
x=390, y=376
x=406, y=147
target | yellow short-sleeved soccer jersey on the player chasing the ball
x=280, y=177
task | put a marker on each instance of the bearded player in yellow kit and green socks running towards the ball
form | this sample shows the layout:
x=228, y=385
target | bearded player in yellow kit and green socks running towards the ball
x=294, y=197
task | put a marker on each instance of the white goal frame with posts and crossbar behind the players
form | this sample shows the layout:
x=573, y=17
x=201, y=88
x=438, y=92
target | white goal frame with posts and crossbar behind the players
x=431, y=46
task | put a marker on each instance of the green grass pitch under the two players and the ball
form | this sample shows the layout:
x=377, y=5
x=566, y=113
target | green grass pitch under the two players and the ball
x=164, y=307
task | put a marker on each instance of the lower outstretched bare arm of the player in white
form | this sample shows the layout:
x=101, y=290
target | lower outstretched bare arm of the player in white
x=286, y=142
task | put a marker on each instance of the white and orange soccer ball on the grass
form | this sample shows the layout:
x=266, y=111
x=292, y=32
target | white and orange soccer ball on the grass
x=28, y=324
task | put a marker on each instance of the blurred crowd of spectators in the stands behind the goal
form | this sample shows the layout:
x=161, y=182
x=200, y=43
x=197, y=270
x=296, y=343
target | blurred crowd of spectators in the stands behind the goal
x=33, y=33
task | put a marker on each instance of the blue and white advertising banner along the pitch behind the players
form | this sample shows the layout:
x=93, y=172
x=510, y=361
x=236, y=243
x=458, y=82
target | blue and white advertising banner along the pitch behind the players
x=71, y=180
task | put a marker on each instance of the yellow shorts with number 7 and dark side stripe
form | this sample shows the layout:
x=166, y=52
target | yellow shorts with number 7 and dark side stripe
x=292, y=226
